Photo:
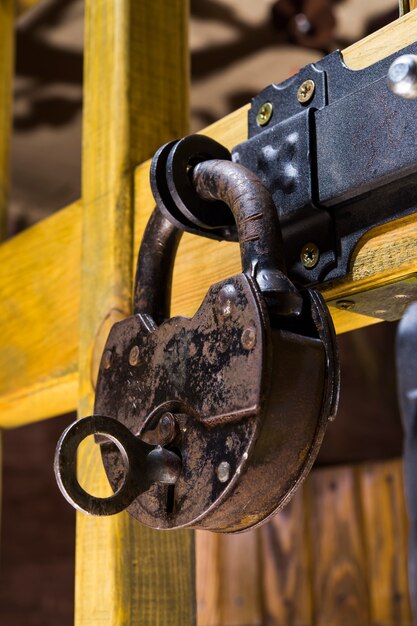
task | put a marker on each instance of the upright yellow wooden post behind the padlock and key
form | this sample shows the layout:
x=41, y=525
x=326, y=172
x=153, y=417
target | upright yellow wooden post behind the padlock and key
x=134, y=98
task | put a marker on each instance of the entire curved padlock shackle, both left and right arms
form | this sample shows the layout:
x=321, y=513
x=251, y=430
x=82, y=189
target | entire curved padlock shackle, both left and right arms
x=259, y=233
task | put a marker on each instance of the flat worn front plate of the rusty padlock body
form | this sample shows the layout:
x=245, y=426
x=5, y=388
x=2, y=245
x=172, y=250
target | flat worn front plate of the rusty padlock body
x=210, y=371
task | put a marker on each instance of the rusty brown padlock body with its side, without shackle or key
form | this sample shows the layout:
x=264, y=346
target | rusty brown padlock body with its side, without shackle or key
x=249, y=418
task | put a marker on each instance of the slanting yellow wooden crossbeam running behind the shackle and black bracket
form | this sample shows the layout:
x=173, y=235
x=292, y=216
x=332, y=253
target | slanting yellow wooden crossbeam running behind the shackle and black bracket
x=34, y=382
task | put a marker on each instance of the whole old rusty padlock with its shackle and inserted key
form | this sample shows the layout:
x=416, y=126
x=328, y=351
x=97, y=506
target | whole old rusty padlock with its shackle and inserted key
x=211, y=421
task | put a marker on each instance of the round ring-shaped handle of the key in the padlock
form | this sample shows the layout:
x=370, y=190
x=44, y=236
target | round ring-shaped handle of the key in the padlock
x=65, y=465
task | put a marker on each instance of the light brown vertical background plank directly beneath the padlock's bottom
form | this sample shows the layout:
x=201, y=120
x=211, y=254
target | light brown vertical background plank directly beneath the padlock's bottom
x=240, y=580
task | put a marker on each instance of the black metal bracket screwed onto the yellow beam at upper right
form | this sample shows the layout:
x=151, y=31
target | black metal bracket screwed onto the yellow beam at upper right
x=338, y=152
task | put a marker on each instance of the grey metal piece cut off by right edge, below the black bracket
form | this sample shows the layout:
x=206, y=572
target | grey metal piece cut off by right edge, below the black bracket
x=407, y=391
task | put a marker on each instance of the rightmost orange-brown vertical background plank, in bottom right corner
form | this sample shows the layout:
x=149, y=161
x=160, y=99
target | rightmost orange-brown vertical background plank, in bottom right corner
x=385, y=523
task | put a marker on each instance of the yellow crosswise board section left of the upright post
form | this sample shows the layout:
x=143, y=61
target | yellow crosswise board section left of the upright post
x=40, y=316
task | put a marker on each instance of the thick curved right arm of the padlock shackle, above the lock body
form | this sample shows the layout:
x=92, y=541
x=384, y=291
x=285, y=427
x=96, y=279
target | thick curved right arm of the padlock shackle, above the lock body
x=252, y=206
